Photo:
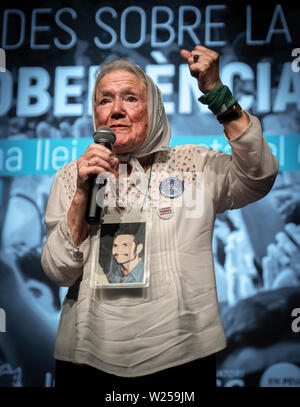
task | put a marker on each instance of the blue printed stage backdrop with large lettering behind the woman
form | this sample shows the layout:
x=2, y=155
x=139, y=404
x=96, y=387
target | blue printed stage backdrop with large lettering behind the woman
x=49, y=55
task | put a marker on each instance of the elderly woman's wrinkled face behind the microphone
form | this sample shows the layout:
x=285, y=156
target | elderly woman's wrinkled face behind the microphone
x=122, y=104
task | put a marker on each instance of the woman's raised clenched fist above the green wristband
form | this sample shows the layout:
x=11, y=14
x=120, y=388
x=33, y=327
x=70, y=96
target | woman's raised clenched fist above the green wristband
x=205, y=69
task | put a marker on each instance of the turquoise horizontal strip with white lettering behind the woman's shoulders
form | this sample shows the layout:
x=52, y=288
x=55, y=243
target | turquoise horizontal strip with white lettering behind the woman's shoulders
x=46, y=156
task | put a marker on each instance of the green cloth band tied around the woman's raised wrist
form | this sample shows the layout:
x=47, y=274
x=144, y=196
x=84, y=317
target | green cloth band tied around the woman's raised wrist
x=219, y=99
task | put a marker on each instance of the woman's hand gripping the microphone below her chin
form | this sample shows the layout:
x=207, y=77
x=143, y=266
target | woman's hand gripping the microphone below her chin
x=94, y=160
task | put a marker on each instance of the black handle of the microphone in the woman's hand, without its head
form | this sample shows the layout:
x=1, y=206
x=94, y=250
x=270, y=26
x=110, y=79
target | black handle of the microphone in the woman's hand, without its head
x=93, y=210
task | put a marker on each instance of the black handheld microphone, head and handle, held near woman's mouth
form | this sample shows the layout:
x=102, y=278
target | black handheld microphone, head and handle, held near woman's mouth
x=106, y=137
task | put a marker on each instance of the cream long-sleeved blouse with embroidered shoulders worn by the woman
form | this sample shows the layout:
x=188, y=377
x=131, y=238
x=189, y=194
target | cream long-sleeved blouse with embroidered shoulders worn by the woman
x=176, y=319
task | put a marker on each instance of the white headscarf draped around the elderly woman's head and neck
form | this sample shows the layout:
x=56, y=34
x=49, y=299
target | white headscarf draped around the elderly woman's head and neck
x=159, y=132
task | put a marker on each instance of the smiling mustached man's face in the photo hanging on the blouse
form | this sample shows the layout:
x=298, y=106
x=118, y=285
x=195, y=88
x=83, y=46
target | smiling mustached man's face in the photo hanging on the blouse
x=124, y=249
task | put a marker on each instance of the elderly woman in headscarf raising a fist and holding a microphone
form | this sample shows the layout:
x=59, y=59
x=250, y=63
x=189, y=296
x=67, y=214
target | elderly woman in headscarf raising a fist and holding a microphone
x=163, y=328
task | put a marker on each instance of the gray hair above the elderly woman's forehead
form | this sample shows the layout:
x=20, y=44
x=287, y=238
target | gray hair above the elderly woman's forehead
x=117, y=65
